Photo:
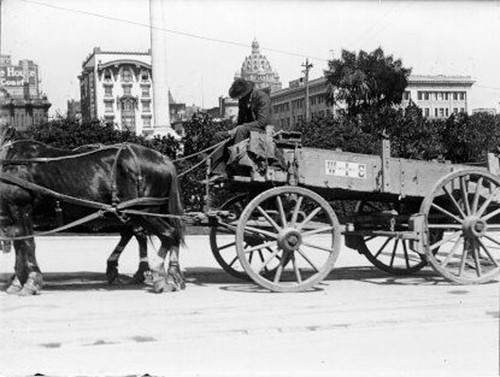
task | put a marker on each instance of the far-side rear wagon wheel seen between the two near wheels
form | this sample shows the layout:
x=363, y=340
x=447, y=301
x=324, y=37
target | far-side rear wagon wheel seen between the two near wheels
x=388, y=253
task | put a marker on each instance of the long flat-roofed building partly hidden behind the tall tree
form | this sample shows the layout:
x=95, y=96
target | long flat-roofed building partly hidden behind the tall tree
x=437, y=96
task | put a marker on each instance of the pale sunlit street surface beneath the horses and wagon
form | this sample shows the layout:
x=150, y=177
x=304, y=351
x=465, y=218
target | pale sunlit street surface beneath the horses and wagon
x=359, y=322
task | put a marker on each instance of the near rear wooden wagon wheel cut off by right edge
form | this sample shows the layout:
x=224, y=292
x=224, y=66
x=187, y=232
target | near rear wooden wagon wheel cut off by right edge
x=465, y=205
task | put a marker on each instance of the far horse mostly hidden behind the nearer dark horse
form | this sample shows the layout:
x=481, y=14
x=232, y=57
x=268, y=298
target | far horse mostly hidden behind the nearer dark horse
x=26, y=150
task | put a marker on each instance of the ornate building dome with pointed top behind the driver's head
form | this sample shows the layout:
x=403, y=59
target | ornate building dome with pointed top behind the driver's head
x=256, y=68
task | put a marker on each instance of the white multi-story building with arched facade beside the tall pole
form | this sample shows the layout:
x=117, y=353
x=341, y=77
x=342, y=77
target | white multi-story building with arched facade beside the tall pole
x=117, y=87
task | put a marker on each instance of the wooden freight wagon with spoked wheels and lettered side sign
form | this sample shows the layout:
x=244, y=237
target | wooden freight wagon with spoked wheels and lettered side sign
x=285, y=234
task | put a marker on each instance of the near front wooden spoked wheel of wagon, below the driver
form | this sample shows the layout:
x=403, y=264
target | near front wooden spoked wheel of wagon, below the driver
x=300, y=233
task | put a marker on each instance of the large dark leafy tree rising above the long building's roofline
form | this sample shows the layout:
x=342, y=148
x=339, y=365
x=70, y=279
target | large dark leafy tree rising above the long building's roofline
x=366, y=80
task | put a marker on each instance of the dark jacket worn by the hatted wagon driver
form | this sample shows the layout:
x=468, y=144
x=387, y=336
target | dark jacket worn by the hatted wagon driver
x=254, y=109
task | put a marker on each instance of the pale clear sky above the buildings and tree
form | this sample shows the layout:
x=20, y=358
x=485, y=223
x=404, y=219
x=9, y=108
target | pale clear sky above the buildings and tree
x=208, y=40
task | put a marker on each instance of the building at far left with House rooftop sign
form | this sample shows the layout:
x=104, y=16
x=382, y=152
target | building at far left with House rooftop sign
x=21, y=101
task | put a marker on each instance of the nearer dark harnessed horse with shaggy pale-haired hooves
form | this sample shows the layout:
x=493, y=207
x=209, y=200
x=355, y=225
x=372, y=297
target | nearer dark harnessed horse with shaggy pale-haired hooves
x=111, y=175
